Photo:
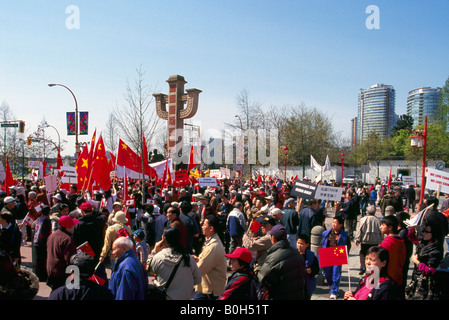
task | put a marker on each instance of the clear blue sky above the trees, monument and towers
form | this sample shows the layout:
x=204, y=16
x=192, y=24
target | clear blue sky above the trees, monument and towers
x=281, y=52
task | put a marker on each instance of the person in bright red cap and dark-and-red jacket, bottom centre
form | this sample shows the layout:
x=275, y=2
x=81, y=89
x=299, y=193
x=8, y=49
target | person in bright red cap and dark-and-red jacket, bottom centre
x=239, y=285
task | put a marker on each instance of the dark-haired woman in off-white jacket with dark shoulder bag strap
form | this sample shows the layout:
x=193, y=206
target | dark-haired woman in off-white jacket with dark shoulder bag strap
x=166, y=254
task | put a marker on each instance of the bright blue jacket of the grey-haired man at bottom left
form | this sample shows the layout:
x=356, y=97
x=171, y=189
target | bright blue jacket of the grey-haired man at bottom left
x=128, y=280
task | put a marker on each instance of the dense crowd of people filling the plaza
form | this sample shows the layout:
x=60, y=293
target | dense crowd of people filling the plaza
x=234, y=241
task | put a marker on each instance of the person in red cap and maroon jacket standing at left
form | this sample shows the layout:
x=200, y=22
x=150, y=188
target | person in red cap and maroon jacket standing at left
x=60, y=247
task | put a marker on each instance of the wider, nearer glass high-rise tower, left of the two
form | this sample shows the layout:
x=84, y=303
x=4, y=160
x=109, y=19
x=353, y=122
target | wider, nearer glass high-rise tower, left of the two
x=376, y=111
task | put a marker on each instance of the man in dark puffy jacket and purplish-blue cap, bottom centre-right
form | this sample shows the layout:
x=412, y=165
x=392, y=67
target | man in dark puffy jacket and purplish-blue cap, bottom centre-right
x=283, y=271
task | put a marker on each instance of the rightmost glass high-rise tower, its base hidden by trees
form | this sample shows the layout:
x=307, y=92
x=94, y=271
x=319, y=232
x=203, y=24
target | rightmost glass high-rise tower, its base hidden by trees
x=423, y=102
